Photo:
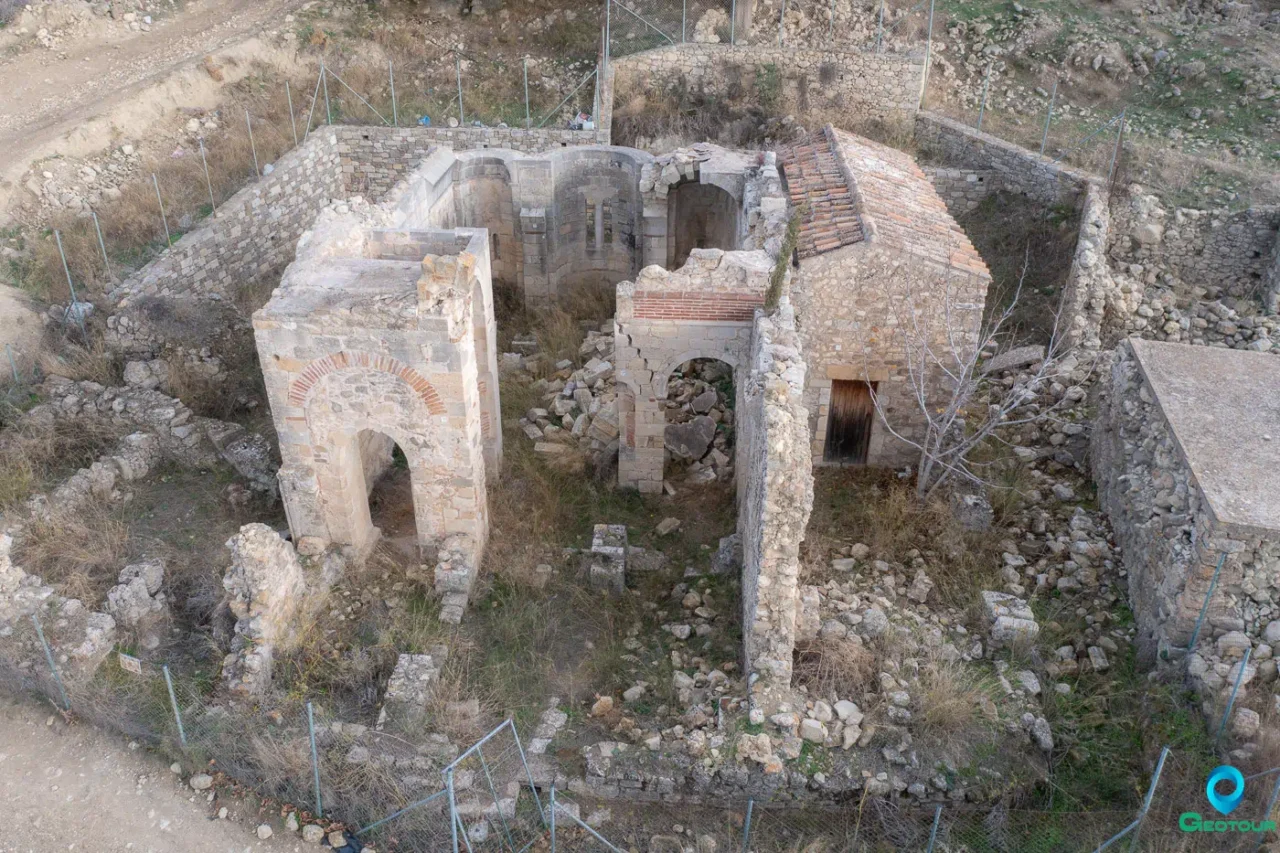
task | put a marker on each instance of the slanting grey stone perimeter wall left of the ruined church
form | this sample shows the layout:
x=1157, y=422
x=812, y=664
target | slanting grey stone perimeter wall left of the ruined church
x=253, y=235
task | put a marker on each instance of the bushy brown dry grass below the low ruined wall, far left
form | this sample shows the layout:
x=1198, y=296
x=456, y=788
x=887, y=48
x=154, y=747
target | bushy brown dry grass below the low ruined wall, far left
x=80, y=553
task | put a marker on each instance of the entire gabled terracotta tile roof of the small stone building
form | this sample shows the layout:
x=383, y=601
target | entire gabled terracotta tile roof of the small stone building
x=848, y=188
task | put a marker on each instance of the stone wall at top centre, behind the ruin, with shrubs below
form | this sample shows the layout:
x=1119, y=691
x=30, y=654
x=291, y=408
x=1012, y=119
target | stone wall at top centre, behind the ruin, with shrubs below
x=857, y=85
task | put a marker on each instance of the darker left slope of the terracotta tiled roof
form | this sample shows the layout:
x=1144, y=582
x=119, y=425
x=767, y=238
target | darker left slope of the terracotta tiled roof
x=820, y=191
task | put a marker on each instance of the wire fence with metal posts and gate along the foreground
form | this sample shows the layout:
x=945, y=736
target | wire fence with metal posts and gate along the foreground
x=409, y=793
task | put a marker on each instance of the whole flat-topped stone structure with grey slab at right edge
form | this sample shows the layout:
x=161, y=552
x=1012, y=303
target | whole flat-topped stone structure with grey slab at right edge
x=1186, y=460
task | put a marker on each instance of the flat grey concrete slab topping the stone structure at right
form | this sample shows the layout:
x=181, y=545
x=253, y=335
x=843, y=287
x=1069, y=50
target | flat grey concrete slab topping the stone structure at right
x=1224, y=409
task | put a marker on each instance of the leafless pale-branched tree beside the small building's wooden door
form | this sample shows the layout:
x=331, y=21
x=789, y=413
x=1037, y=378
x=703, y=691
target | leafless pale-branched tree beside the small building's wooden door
x=961, y=409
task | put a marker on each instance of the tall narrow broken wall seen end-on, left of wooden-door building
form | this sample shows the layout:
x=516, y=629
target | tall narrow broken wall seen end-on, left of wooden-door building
x=778, y=498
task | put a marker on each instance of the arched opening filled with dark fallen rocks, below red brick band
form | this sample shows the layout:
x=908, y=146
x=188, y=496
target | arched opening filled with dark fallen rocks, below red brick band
x=700, y=410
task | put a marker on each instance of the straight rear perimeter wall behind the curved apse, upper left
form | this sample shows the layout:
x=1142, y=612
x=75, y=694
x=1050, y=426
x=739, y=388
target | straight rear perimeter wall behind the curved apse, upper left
x=376, y=158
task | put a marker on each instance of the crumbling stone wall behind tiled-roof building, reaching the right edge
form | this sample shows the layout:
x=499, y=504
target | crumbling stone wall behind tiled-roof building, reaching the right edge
x=1137, y=270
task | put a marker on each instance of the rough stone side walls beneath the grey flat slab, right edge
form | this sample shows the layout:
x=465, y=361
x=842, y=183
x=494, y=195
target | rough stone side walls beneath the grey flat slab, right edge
x=1173, y=545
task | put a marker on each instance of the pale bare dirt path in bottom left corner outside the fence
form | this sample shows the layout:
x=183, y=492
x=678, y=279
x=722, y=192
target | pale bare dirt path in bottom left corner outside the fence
x=75, y=788
